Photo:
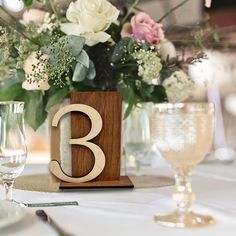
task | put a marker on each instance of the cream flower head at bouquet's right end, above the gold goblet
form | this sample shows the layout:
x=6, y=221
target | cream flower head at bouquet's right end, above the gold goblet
x=178, y=86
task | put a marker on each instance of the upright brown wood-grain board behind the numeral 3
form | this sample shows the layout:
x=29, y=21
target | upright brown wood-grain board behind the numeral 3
x=109, y=105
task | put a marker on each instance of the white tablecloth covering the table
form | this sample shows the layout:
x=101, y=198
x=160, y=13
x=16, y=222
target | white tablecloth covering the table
x=130, y=212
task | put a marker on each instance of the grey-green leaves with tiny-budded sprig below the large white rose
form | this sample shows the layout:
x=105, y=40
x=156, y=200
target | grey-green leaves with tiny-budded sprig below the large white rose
x=66, y=56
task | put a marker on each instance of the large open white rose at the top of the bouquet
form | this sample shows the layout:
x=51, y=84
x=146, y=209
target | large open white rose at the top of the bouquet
x=90, y=19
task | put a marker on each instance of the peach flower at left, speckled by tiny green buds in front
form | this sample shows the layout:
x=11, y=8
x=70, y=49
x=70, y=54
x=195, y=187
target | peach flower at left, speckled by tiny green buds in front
x=32, y=67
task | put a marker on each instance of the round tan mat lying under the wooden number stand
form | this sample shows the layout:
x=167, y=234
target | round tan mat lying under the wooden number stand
x=48, y=183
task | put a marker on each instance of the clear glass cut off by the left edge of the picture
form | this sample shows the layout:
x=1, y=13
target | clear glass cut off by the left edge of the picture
x=13, y=149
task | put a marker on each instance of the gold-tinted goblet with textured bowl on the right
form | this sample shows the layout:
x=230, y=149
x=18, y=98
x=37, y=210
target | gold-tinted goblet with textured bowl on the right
x=183, y=134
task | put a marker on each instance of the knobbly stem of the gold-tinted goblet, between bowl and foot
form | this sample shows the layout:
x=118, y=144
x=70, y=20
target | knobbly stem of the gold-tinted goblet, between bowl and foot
x=183, y=196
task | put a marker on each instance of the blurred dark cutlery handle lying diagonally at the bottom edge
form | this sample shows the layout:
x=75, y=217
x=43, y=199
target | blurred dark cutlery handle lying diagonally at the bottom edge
x=46, y=218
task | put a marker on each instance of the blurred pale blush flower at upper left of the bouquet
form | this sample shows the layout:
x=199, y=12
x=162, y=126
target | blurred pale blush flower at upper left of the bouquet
x=33, y=15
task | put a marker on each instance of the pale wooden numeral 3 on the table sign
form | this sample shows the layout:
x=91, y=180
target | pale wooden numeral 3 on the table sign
x=99, y=156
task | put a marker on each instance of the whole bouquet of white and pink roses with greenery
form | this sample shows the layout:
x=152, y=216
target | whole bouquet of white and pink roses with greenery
x=91, y=46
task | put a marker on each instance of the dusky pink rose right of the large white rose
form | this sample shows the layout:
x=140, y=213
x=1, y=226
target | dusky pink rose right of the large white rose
x=142, y=27
